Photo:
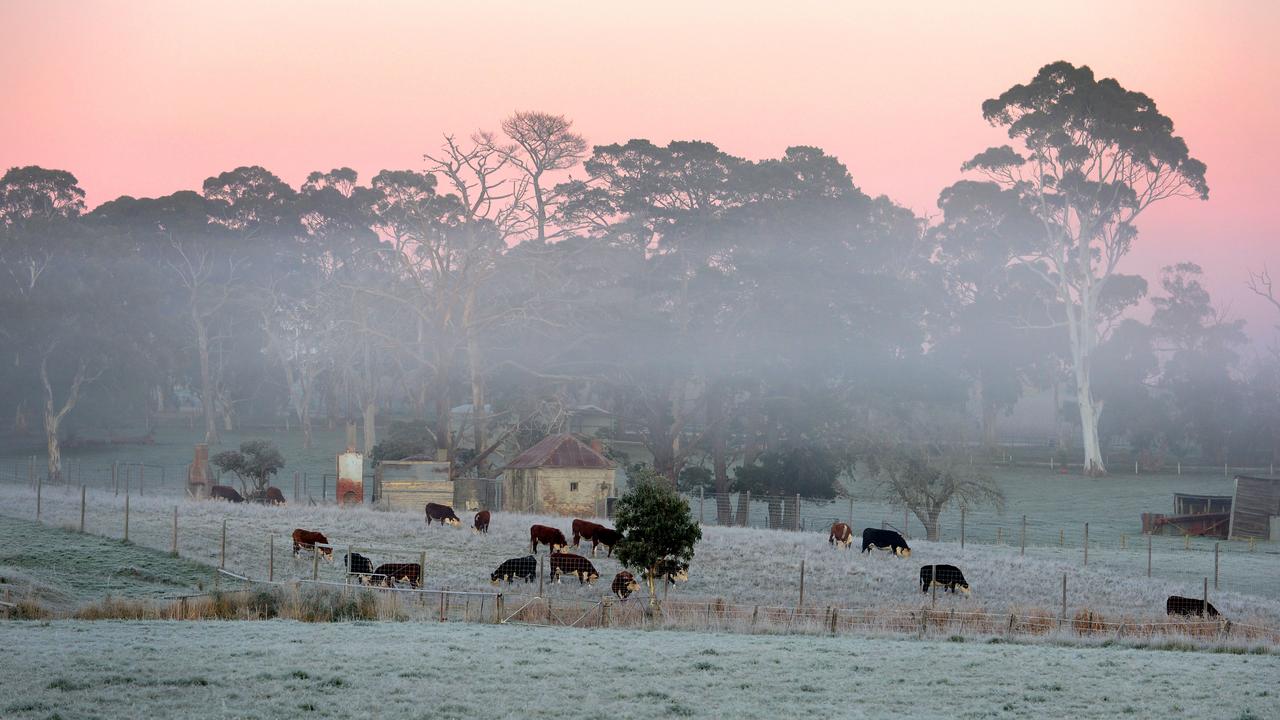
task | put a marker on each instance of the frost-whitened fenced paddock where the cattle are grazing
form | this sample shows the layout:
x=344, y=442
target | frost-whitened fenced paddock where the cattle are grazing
x=748, y=567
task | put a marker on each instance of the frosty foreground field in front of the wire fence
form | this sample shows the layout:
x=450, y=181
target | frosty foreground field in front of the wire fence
x=284, y=669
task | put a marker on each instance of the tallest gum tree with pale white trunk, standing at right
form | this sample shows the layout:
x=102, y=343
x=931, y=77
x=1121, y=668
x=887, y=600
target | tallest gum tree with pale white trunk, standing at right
x=1092, y=158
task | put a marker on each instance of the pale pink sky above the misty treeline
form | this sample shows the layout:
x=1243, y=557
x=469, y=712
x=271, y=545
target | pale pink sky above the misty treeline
x=149, y=98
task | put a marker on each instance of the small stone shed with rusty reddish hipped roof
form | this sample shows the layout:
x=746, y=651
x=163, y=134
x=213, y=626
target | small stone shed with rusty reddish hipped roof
x=560, y=476
